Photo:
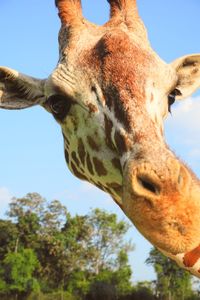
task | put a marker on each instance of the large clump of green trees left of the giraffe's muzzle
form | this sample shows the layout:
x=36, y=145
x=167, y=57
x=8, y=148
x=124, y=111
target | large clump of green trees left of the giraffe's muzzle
x=65, y=253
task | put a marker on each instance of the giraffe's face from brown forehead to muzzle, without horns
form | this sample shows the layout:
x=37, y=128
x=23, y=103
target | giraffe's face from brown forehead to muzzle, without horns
x=120, y=96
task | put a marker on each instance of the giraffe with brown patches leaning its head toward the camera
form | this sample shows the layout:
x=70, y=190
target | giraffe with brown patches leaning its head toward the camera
x=110, y=93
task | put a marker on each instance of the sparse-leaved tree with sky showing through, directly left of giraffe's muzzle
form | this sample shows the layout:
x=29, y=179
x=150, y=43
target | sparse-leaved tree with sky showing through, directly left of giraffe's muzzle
x=109, y=260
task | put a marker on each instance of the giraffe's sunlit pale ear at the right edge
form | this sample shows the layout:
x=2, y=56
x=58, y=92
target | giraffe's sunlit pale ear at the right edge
x=188, y=72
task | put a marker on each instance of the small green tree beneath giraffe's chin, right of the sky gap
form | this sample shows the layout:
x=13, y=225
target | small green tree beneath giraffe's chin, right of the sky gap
x=172, y=282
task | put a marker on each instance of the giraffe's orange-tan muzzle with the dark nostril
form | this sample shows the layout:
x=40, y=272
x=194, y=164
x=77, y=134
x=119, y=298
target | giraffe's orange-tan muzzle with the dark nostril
x=164, y=204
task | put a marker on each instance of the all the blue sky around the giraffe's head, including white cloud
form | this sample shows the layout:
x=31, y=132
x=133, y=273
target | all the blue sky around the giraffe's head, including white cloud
x=31, y=147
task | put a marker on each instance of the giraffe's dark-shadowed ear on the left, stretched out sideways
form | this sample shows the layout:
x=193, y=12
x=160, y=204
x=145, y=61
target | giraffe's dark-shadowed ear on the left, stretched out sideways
x=19, y=91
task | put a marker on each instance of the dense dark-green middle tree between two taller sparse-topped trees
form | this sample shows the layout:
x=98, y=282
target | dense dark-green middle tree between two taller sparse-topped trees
x=62, y=252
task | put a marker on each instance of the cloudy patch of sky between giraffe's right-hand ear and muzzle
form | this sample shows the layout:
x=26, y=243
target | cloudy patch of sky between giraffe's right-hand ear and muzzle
x=183, y=131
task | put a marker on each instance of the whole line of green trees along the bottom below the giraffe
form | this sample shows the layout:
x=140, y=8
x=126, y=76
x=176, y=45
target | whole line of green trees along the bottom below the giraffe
x=46, y=254
